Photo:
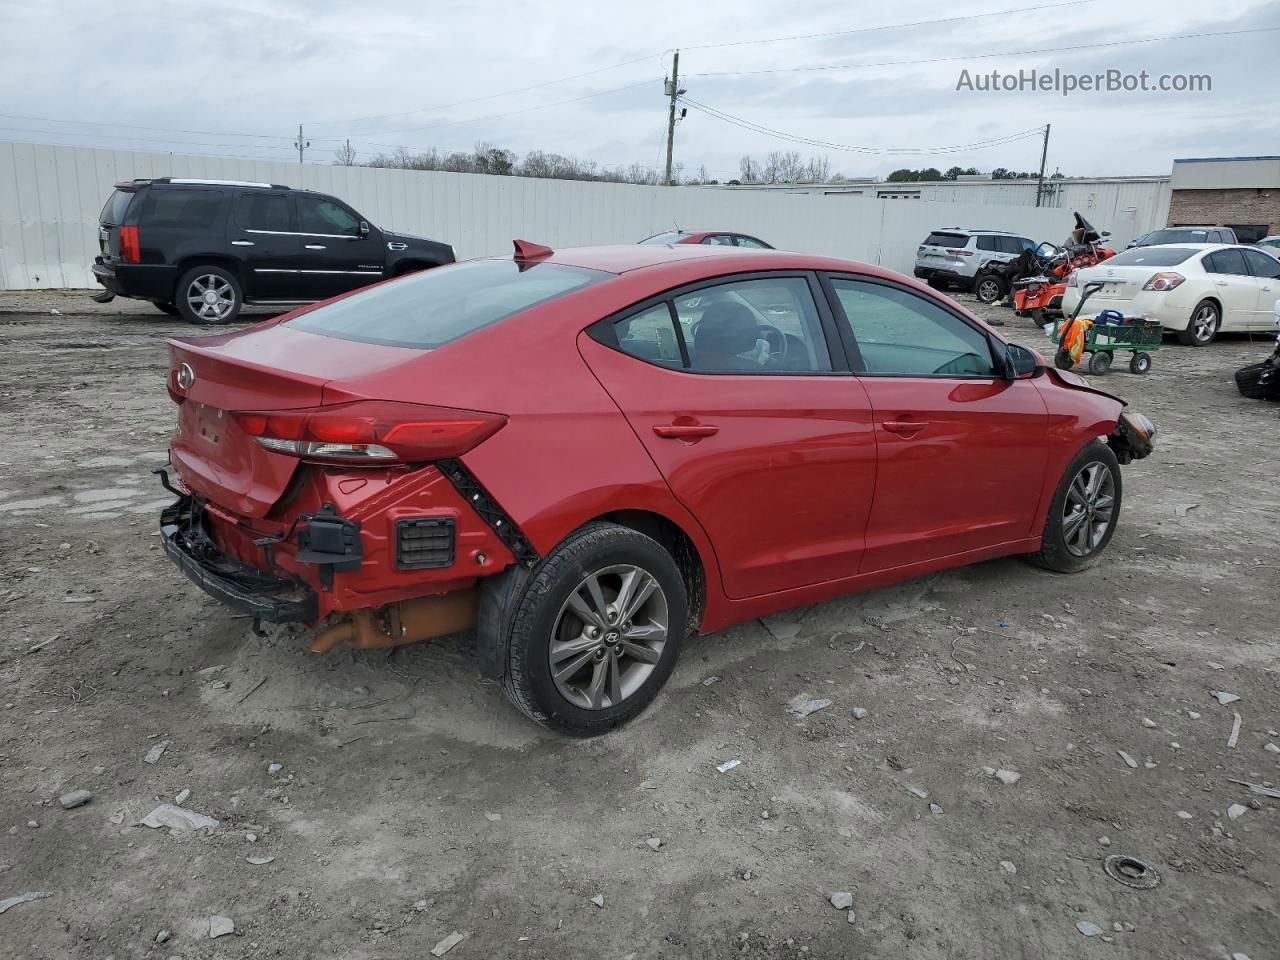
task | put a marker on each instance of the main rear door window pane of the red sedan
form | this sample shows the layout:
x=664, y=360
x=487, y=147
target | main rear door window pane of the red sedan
x=755, y=327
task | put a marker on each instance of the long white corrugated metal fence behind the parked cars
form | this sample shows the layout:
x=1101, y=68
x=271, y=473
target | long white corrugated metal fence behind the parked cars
x=51, y=198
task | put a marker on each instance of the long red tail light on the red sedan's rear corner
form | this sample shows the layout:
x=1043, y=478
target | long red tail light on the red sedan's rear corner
x=371, y=432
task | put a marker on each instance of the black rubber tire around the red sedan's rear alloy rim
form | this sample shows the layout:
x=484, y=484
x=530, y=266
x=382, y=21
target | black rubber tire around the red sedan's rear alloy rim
x=543, y=607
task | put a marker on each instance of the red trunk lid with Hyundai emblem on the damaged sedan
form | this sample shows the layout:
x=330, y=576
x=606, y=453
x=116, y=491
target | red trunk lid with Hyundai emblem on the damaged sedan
x=269, y=368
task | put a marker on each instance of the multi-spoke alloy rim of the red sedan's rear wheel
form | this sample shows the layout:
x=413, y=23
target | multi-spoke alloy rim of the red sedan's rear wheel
x=609, y=637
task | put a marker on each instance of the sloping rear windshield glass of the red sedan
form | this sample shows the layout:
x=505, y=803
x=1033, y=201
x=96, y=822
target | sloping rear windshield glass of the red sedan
x=433, y=308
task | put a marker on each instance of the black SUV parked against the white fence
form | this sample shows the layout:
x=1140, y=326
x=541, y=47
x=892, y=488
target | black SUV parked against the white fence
x=203, y=249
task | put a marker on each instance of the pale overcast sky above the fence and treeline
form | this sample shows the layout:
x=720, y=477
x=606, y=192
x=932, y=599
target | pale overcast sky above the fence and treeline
x=171, y=76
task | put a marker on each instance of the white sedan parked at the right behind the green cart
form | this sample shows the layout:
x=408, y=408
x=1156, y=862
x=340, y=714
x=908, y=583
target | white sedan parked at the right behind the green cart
x=1195, y=290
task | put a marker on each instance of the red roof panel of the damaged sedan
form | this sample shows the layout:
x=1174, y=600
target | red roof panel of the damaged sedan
x=715, y=260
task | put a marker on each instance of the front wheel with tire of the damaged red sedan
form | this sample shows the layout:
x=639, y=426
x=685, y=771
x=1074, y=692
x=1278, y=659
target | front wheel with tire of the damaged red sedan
x=1085, y=511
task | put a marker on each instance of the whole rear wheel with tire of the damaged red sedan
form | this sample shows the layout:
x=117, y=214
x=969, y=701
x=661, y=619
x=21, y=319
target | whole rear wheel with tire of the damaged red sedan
x=597, y=632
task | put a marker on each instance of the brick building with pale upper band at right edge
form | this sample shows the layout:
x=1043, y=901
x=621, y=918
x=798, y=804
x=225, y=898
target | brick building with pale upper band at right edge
x=1242, y=193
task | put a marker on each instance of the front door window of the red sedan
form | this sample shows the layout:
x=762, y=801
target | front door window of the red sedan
x=900, y=333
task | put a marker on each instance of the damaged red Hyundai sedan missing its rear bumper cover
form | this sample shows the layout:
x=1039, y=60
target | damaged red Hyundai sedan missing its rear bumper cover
x=587, y=455
